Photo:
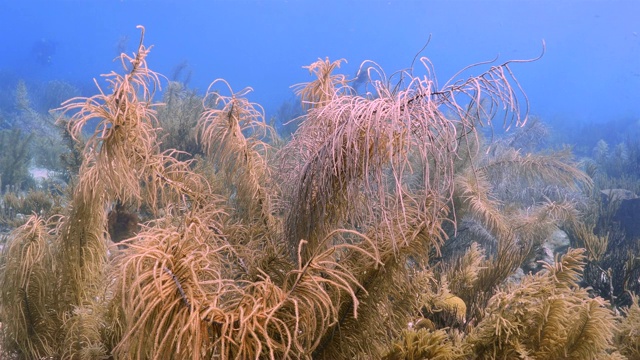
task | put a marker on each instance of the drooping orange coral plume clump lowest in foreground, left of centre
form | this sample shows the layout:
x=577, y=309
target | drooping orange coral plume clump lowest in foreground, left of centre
x=164, y=280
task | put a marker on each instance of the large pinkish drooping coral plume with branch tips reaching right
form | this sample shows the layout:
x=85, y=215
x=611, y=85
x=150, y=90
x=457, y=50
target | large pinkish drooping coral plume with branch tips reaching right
x=356, y=147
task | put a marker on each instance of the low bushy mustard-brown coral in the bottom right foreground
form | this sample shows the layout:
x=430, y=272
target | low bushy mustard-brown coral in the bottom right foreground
x=546, y=317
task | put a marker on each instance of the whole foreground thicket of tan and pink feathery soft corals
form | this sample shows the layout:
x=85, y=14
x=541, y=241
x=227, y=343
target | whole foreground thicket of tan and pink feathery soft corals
x=386, y=227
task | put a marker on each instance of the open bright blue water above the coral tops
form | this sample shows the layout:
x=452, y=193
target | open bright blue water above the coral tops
x=590, y=71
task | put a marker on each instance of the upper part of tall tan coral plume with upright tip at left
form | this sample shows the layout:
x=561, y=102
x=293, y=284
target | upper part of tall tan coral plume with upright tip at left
x=124, y=141
